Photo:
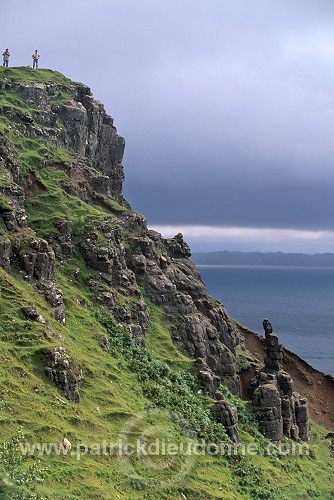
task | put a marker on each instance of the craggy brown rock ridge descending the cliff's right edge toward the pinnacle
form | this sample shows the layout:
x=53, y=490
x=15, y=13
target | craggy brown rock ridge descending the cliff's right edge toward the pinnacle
x=201, y=326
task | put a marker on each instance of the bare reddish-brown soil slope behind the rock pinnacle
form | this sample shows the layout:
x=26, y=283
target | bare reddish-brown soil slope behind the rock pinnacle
x=316, y=386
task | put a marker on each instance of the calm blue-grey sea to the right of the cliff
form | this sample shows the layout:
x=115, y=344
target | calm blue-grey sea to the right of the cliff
x=298, y=301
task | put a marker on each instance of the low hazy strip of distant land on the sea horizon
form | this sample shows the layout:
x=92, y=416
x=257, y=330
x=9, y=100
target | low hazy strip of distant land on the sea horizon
x=264, y=259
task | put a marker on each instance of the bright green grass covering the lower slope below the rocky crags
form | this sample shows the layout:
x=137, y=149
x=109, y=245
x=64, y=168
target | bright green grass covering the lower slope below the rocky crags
x=117, y=386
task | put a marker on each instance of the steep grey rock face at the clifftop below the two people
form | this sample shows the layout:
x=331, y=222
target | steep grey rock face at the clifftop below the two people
x=81, y=124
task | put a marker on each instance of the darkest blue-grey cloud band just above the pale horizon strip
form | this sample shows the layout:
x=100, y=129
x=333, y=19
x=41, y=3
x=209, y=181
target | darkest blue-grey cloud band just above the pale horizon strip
x=304, y=206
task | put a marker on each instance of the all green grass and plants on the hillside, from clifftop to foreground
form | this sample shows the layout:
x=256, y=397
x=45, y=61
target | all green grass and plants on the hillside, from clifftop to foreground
x=129, y=392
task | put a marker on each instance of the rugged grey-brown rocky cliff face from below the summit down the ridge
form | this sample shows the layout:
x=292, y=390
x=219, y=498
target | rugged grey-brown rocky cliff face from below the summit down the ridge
x=130, y=260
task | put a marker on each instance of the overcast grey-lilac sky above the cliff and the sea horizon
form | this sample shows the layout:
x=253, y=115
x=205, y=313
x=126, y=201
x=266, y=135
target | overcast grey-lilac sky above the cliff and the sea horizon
x=226, y=106
